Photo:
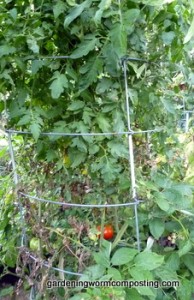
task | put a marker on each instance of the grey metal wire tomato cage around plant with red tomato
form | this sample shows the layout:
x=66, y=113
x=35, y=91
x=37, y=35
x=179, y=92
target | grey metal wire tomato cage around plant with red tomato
x=129, y=133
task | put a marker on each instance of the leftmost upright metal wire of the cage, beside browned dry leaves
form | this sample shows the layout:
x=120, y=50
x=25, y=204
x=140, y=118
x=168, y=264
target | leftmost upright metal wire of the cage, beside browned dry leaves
x=16, y=182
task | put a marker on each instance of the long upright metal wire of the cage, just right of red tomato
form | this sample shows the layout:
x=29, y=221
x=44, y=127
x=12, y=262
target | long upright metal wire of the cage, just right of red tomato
x=131, y=155
